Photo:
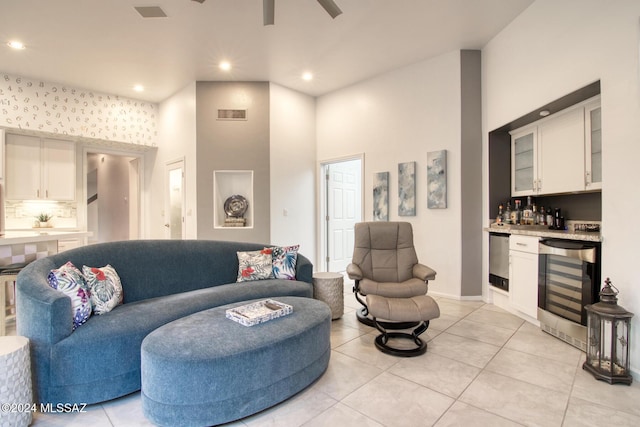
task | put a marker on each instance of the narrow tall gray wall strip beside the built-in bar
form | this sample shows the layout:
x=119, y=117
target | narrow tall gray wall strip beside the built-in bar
x=471, y=172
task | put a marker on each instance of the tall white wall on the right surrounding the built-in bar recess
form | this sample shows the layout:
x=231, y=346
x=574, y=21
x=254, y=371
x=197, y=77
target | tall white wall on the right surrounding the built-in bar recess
x=554, y=48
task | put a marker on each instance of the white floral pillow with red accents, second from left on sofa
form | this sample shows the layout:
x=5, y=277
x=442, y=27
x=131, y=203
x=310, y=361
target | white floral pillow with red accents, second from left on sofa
x=105, y=286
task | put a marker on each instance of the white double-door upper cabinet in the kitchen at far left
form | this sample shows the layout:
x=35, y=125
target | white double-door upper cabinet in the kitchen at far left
x=39, y=168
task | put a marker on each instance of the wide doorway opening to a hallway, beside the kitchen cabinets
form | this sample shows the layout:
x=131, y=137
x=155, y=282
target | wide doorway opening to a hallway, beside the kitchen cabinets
x=113, y=196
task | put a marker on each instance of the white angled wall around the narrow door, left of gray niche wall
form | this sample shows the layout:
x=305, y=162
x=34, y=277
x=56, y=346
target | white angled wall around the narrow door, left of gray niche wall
x=177, y=139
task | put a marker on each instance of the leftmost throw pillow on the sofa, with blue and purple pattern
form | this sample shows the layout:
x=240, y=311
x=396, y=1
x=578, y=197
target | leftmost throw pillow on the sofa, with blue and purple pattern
x=70, y=281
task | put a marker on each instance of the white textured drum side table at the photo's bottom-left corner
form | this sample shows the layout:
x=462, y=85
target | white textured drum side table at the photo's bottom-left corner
x=15, y=381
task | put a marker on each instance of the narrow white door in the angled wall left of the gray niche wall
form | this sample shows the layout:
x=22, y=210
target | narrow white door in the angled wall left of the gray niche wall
x=174, y=201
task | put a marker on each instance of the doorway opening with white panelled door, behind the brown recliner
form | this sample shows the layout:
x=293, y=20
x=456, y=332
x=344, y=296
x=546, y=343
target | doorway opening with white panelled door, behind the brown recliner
x=341, y=207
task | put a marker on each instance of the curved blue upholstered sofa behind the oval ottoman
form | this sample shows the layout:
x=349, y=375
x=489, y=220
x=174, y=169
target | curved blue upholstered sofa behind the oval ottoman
x=162, y=280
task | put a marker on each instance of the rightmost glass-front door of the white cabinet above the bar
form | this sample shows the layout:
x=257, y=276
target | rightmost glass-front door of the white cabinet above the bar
x=593, y=145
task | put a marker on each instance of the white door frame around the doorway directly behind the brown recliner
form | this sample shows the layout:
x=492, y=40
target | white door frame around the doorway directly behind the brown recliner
x=322, y=236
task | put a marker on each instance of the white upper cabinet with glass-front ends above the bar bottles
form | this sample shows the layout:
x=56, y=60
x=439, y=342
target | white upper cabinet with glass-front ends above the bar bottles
x=558, y=154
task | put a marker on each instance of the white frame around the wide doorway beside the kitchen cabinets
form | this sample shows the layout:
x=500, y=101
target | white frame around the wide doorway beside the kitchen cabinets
x=140, y=156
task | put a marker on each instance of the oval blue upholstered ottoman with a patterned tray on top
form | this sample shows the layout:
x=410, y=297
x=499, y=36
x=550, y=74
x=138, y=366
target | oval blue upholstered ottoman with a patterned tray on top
x=205, y=369
